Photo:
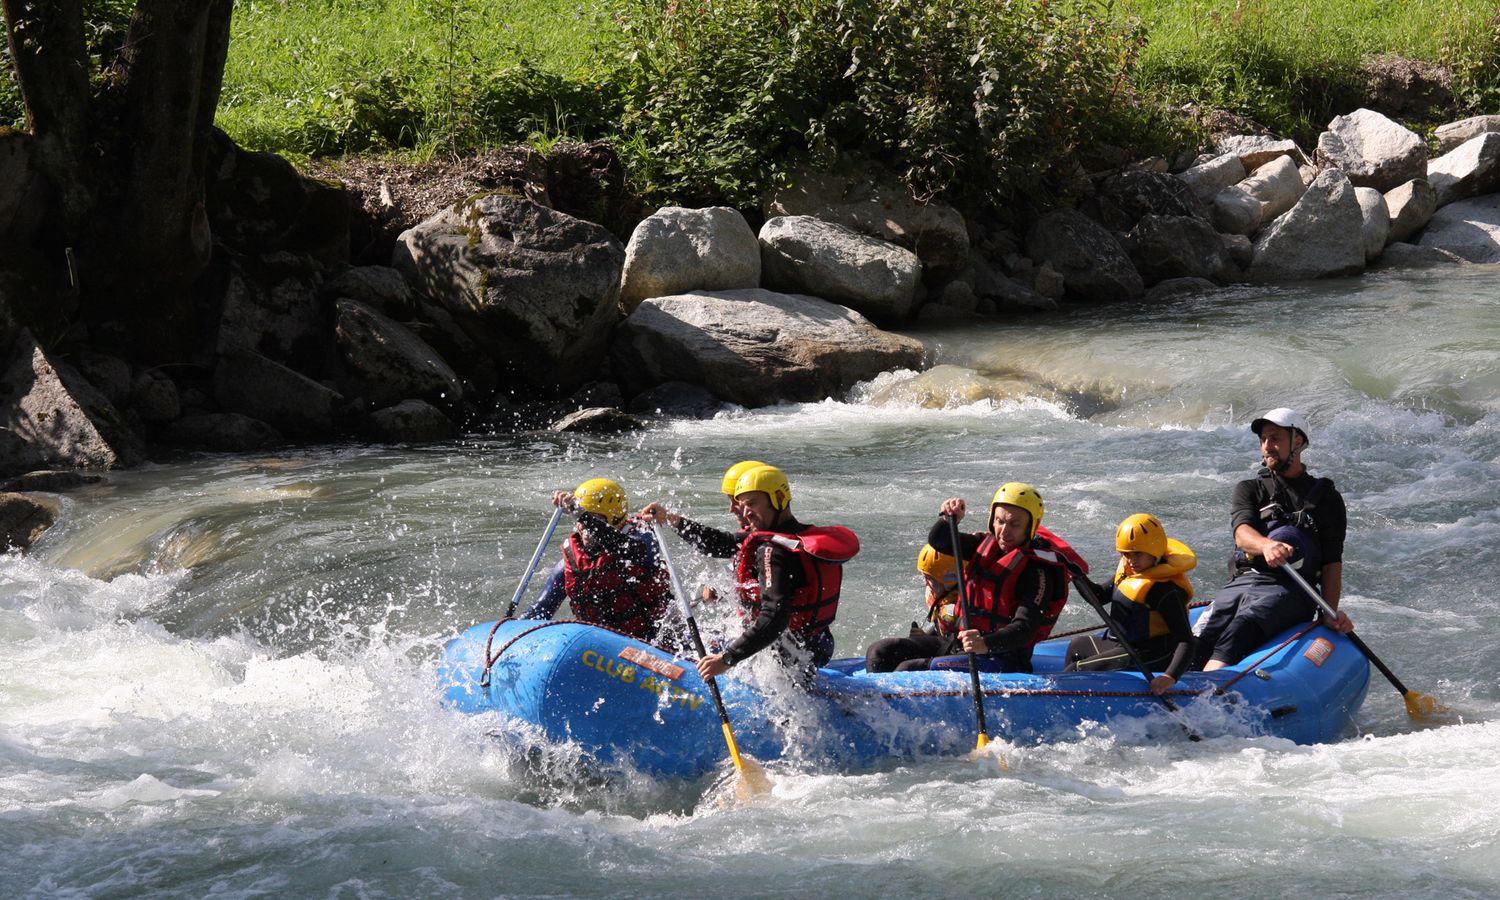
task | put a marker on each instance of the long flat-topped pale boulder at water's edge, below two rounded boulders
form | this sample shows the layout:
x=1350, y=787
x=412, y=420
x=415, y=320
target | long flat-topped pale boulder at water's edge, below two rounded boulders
x=755, y=347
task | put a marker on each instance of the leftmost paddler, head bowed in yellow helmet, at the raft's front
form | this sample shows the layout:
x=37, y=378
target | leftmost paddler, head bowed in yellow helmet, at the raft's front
x=611, y=571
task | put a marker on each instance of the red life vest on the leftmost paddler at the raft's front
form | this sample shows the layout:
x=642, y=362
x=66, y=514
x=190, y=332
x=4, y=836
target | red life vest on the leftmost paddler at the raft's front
x=620, y=595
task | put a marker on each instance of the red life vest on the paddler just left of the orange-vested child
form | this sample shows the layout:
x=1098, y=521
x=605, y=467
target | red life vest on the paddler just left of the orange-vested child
x=994, y=578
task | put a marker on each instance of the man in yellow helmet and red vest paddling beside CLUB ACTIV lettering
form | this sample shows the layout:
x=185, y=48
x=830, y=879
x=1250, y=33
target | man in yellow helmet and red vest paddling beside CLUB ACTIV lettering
x=788, y=574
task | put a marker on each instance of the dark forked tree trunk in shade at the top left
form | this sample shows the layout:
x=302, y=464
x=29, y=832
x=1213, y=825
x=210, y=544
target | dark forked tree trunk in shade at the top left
x=127, y=155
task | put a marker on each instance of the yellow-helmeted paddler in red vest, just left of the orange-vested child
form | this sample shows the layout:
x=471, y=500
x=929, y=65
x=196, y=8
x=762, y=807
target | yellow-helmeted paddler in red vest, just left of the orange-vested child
x=1016, y=577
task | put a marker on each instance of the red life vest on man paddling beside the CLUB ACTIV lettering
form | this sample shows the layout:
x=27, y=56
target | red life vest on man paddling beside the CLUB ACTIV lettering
x=823, y=551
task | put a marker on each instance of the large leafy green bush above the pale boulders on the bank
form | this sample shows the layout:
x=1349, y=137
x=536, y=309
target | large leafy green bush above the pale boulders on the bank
x=968, y=98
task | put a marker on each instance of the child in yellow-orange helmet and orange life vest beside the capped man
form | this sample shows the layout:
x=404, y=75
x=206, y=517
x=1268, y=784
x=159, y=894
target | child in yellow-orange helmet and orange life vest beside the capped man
x=1148, y=602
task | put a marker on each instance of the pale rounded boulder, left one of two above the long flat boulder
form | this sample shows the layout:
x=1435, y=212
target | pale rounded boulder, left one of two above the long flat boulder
x=677, y=250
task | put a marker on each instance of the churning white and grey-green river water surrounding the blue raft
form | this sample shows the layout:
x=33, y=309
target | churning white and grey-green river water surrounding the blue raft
x=217, y=676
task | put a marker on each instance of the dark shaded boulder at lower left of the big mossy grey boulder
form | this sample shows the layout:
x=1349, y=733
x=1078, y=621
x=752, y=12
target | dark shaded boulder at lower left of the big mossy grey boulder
x=388, y=364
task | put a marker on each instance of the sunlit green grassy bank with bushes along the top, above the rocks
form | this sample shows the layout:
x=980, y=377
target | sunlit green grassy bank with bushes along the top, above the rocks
x=719, y=100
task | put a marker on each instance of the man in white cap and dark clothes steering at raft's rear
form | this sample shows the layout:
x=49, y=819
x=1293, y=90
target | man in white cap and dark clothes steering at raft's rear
x=1285, y=517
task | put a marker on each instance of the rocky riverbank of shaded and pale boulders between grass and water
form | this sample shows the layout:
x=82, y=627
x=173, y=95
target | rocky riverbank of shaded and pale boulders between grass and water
x=535, y=295
